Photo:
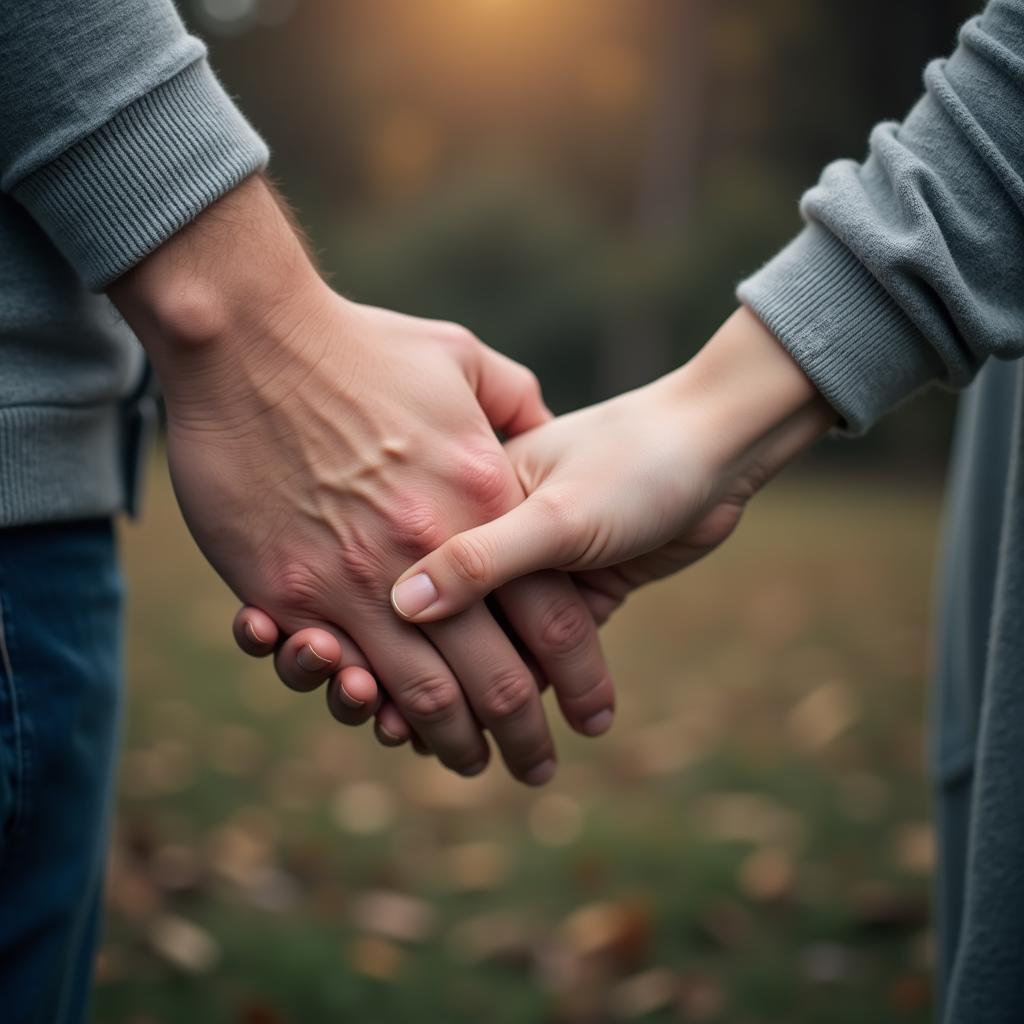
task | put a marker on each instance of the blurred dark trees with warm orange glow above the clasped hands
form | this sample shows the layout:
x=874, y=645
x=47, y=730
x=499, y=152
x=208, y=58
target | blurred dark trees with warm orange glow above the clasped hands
x=679, y=133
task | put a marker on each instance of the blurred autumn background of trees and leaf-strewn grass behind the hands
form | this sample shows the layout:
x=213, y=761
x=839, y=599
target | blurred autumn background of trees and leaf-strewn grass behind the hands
x=582, y=183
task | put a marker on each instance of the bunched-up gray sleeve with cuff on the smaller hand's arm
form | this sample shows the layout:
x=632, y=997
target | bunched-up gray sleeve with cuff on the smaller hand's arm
x=911, y=268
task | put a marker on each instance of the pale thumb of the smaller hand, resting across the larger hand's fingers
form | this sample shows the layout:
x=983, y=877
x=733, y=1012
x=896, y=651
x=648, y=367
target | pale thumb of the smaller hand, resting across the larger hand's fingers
x=470, y=566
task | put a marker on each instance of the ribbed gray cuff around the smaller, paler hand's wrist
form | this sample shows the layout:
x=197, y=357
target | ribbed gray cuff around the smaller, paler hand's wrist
x=861, y=350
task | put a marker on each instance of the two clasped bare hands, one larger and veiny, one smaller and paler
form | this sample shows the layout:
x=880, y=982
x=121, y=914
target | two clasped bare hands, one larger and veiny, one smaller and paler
x=323, y=452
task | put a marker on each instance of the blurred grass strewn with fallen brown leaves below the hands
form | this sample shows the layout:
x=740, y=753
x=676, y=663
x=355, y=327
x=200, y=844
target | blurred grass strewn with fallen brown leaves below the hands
x=750, y=845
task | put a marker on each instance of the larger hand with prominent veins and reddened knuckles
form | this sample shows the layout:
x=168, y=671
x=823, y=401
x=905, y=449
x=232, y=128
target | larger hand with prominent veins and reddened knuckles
x=317, y=446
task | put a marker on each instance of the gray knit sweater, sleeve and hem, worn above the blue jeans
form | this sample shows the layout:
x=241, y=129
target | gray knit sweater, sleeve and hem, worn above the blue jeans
x=114, y=134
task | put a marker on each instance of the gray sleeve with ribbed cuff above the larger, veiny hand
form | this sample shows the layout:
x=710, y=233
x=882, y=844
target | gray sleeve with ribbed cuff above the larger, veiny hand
x=115, y=132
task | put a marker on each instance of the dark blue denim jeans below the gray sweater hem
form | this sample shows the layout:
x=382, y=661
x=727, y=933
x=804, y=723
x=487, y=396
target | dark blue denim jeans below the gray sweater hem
x=61, y=599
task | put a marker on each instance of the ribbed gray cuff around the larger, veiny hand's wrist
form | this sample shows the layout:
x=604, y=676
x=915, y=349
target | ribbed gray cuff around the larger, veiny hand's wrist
x=119, y=194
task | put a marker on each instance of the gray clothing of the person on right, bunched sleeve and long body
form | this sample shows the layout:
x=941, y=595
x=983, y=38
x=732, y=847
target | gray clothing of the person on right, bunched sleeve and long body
x=912, y=270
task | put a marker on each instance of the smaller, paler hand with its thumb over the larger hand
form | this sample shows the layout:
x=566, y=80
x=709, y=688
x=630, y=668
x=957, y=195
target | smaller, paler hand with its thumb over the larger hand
x=620, y=494
